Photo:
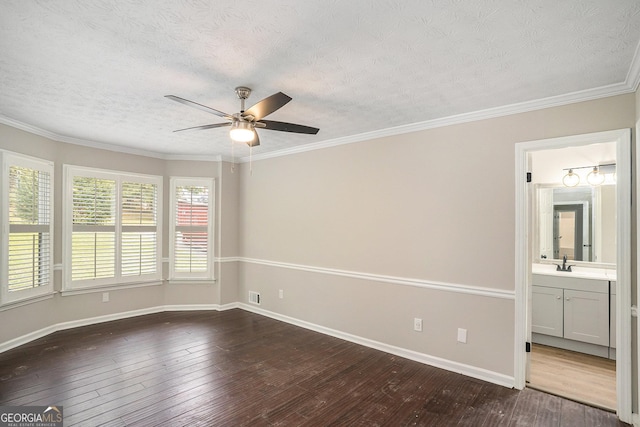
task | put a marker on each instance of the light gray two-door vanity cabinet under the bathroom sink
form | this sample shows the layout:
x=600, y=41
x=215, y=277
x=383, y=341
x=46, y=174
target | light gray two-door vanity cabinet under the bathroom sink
x=572, y=313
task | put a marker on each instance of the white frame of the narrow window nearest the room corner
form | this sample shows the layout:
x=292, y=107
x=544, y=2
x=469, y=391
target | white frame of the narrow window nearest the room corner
x=209, y=183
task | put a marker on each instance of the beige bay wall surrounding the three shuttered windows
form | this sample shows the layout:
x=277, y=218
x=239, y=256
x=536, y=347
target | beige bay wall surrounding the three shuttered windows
x=38, y=316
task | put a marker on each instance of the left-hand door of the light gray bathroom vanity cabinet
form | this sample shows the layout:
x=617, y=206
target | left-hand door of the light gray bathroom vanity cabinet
x=546, y=316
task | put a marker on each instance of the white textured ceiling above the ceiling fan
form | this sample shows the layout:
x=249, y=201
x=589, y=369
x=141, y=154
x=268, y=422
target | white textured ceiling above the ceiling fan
x=96, y=72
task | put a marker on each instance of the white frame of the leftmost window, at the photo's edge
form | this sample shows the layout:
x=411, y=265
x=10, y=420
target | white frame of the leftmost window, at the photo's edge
x=9, y=159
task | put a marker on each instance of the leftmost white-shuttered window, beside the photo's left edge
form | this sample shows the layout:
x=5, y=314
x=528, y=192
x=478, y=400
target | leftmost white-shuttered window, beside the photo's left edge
x=27, y=238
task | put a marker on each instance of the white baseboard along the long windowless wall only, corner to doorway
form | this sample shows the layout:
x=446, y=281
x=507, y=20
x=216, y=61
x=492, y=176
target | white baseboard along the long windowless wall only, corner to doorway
x=449, y=365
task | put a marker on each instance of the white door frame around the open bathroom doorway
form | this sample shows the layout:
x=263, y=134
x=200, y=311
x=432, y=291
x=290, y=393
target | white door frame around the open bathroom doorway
x=524, y=249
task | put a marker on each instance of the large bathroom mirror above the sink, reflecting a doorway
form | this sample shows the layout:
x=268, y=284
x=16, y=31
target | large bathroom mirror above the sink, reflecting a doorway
x=579, y=222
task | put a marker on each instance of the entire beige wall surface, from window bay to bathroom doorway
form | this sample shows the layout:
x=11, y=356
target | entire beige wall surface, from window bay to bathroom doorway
x=361, y=238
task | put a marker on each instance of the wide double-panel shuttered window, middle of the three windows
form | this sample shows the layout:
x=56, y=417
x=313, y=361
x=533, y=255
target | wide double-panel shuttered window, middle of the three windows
x=112, y=231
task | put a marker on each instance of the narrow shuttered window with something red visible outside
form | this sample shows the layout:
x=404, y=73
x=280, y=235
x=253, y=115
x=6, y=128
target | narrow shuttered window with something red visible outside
x=191, y=226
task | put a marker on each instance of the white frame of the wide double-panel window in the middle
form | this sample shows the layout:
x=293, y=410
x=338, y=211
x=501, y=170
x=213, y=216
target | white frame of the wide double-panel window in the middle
x=72, y=171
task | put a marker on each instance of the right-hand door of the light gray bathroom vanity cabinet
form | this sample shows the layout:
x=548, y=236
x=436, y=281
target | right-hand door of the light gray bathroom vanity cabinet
x=586, y=317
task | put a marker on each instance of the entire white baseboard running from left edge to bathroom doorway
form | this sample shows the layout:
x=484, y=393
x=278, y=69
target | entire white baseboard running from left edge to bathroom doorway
x=470, y=371
